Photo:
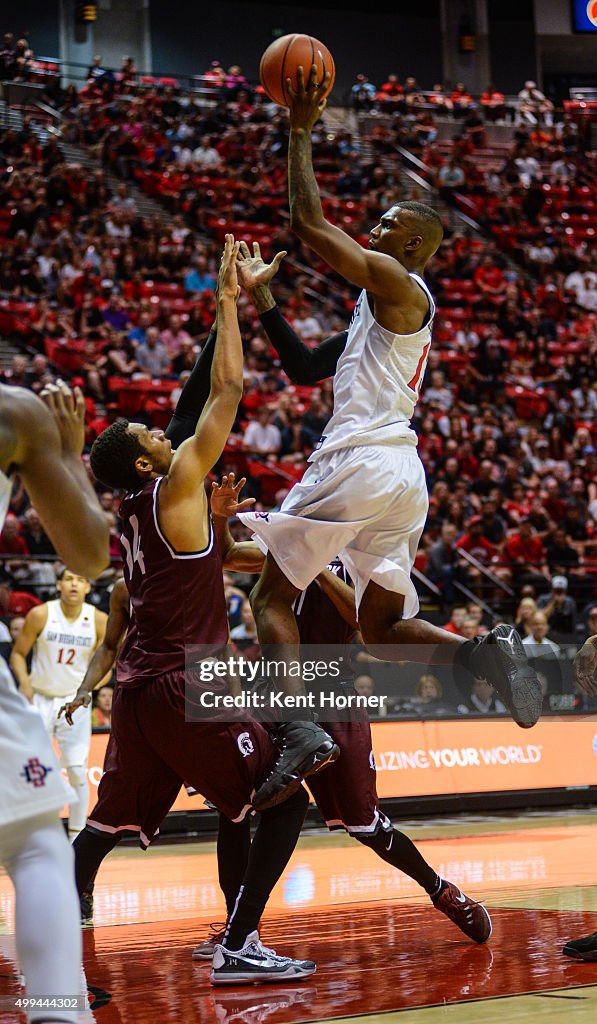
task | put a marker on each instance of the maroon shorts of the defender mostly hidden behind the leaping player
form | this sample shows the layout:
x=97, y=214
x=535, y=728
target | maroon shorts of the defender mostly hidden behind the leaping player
x=347, y=793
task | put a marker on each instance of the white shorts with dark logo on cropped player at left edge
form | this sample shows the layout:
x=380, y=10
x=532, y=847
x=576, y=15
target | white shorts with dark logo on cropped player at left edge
x=31, y=782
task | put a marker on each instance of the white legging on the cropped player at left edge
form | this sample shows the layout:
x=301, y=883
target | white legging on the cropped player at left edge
x=39, y=862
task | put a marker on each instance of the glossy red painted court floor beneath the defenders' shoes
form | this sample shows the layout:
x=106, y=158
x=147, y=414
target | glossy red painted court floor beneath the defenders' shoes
x=372, y=959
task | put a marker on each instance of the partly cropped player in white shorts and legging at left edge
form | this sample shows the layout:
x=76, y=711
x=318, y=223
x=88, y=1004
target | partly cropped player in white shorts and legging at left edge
x=44, y=445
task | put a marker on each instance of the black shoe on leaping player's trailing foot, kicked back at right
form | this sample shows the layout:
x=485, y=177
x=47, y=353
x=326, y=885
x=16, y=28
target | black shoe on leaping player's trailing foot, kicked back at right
x=500, y=658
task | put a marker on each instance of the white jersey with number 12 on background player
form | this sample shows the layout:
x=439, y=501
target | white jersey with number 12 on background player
x=63, y=652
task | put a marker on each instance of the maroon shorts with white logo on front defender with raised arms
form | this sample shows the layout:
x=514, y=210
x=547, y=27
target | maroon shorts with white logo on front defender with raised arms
x=153, y=751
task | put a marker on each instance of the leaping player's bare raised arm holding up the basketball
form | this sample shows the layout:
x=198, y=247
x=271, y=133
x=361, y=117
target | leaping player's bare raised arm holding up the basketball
x=378, y=273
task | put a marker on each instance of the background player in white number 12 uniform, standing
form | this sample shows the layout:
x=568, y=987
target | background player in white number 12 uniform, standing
x=63, y=635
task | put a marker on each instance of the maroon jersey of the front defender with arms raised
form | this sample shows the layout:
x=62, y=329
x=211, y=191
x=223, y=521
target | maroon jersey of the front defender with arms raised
x=178, y=600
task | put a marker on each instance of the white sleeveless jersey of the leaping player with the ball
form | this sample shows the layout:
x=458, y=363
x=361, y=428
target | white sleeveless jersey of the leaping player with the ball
x=377, y=382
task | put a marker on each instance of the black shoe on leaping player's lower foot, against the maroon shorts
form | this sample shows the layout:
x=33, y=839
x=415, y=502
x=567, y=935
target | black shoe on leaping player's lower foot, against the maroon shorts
x=306, y=749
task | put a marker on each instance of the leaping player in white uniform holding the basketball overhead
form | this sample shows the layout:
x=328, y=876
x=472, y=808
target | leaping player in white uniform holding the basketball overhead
x=365, y=497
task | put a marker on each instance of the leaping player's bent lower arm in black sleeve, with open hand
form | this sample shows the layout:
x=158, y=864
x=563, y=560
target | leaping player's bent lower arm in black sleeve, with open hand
x=304, y=365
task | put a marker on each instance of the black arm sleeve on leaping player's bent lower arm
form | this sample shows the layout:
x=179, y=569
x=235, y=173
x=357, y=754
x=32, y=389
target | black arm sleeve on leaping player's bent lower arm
x=304, y=365
